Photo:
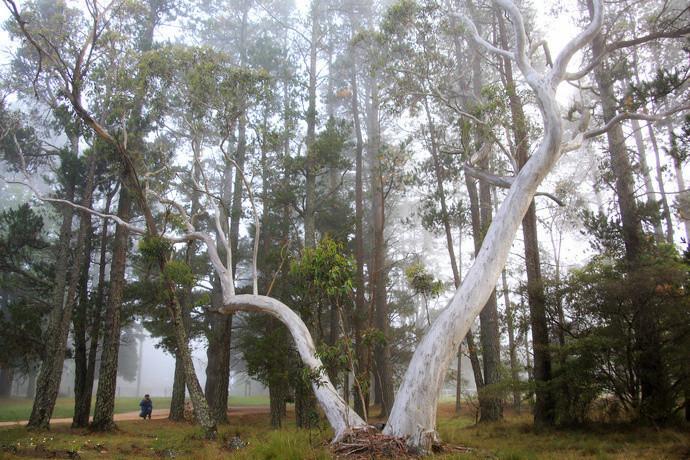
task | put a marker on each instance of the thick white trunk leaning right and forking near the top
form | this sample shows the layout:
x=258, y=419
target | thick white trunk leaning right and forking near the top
x=414, y=411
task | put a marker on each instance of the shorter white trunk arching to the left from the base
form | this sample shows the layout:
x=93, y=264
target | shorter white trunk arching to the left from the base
x=341, y=417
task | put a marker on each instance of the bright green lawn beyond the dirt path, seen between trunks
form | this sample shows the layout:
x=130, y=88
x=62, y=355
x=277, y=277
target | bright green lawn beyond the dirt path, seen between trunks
x=14, y=409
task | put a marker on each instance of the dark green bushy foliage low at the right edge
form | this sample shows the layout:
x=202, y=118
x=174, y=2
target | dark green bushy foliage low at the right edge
x=606, y=347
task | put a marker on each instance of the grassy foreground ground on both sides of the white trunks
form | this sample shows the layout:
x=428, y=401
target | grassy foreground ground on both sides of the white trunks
x=514, y=438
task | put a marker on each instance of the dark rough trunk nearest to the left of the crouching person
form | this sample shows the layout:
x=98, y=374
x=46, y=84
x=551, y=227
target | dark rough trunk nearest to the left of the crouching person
x=107, y=376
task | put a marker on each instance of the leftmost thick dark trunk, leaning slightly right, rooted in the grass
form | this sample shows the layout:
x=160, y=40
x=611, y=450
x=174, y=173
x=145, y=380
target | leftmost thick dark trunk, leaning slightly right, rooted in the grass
x=50, y=374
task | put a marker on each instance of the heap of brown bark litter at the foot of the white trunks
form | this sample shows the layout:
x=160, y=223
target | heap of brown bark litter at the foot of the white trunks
x=369, y=443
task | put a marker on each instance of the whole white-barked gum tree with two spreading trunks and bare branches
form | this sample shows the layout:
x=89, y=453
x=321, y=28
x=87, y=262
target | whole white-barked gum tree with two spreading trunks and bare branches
x=413, y=414
